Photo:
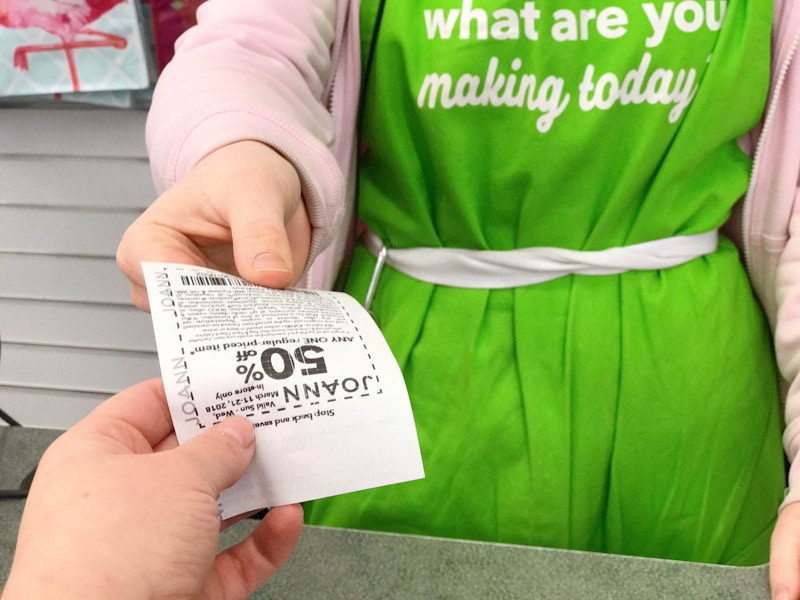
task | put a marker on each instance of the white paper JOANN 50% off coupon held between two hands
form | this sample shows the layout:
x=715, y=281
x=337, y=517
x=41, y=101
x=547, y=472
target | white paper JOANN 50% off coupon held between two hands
x=310, y=370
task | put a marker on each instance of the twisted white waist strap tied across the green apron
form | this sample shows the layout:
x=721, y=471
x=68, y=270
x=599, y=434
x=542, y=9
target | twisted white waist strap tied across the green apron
x=490, y=269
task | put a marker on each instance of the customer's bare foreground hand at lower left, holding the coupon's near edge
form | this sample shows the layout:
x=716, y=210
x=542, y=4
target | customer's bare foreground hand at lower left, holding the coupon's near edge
x=118, y=510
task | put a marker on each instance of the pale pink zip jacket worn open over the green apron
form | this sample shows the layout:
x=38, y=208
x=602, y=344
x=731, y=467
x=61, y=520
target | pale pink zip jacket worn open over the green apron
x=287, y=74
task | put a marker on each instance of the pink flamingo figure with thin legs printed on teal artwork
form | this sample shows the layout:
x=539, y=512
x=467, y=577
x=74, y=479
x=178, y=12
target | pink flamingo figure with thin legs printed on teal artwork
x=69, y=20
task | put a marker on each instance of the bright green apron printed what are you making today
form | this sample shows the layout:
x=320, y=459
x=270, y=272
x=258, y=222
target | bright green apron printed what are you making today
x=633, y=413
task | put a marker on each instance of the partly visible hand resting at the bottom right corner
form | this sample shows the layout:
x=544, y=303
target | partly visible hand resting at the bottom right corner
x=784, y=564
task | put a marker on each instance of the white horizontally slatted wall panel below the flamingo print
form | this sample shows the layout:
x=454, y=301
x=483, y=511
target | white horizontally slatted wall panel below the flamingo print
x=71, y=181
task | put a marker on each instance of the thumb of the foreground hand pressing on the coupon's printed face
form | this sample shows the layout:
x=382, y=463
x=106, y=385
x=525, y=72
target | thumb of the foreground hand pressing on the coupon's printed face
x=220, y=455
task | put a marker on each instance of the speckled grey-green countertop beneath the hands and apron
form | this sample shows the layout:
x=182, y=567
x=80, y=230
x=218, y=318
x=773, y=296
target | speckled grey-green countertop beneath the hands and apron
x=347, y=564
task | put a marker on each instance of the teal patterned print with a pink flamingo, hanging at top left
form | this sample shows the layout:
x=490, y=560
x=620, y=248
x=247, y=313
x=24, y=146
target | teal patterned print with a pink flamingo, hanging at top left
x=104, y=38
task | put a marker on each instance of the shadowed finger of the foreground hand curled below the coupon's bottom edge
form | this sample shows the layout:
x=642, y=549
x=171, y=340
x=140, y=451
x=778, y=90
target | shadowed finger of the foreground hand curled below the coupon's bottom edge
x=241, y=569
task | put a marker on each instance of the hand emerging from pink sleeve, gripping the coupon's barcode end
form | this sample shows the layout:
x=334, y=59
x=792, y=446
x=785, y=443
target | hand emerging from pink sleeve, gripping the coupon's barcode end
x=239, y=210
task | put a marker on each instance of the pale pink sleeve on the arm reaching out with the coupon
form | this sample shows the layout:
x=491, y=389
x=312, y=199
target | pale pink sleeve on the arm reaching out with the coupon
x=257, y=70
